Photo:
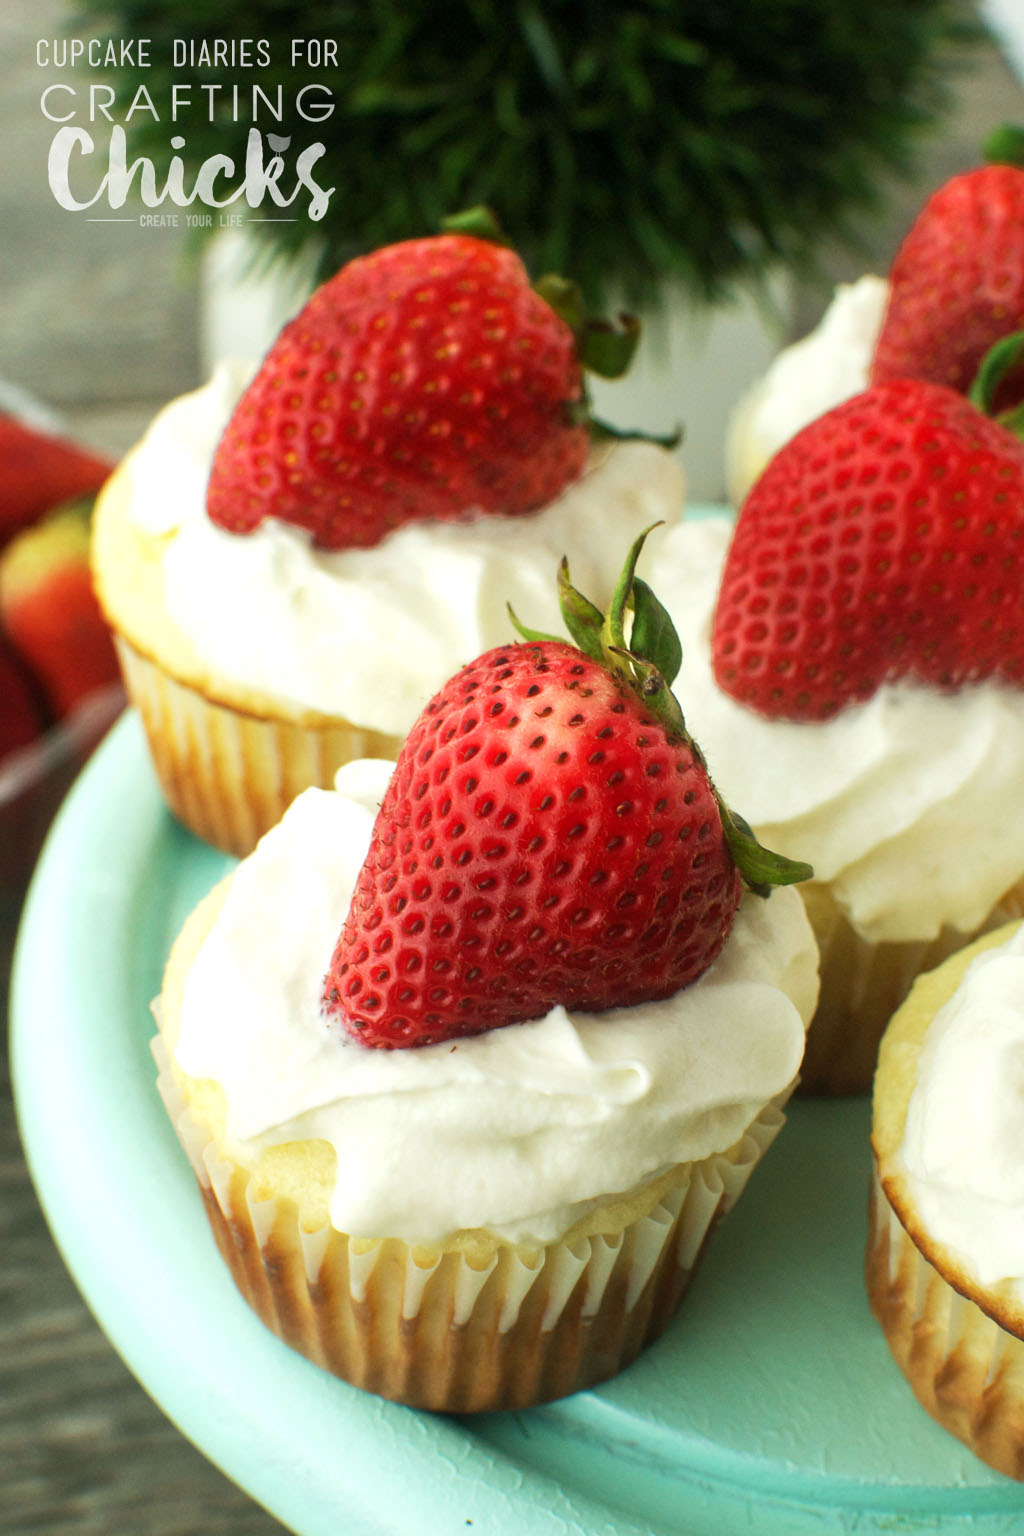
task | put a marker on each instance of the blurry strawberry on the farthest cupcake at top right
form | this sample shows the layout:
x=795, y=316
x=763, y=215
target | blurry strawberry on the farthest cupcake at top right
x=957, y=285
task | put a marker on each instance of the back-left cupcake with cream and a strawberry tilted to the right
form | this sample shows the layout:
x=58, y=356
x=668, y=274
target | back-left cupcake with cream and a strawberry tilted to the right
x=292, y=564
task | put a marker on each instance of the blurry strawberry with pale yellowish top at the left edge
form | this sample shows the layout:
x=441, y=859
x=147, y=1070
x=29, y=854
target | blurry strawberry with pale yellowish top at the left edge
x=50, y=612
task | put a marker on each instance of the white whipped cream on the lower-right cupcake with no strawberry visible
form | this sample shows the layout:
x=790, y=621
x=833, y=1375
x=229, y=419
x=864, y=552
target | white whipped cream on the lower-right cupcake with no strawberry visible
x=965, y=1130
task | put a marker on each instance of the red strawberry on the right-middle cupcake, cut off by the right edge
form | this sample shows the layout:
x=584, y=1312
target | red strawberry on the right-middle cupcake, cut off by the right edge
x=885, y=541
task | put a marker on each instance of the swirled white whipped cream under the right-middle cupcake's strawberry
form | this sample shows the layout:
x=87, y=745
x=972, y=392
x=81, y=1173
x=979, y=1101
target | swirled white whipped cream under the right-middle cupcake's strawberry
x=910, y=807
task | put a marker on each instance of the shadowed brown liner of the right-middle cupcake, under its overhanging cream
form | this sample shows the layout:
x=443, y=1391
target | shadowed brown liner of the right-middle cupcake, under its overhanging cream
x=862, y=987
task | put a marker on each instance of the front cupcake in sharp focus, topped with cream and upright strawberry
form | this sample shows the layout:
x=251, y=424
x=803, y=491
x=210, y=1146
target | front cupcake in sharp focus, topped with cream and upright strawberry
x=472, y=1054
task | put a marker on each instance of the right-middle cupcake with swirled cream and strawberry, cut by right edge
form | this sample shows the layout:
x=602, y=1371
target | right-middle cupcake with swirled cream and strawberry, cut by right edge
x=853, y=663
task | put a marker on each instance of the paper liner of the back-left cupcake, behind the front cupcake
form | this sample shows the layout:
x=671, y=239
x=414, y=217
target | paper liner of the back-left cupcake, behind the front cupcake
x=230, y=773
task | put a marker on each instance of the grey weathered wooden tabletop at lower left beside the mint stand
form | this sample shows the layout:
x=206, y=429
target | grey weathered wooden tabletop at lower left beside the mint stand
x=84, y=1449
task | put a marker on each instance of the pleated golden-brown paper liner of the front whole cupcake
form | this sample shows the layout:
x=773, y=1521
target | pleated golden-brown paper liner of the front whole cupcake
x=477, y=1325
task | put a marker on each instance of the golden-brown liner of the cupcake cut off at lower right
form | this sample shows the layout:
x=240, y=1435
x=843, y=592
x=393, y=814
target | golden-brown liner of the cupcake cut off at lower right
x=965, y=1368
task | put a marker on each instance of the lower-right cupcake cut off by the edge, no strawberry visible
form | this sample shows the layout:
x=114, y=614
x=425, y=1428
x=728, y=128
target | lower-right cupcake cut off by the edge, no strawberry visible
x=946, y=1250
